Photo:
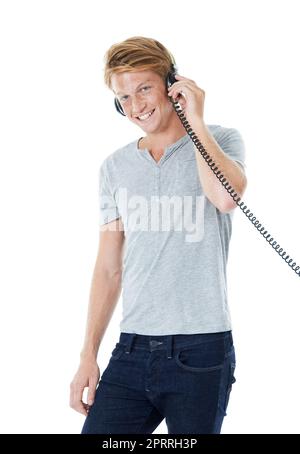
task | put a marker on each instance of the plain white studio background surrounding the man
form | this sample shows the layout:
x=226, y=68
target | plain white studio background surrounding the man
x=58, y=123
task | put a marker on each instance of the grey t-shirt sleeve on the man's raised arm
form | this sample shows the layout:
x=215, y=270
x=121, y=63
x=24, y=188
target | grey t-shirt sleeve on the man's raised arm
x=232, y=143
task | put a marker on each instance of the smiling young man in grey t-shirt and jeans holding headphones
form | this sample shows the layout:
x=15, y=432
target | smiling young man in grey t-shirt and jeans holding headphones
x=165, y=227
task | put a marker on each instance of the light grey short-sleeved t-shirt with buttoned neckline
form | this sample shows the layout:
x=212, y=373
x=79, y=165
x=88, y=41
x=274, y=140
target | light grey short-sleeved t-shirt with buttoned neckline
x=176, y=240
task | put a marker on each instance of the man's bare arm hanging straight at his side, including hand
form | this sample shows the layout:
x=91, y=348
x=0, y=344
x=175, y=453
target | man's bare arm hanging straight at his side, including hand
x=105, y=291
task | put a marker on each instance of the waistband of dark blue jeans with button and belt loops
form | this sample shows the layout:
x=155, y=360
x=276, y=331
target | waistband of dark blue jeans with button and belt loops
x=171, y=341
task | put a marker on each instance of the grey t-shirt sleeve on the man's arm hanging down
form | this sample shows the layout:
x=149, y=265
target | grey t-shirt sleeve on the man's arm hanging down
x=108, y=209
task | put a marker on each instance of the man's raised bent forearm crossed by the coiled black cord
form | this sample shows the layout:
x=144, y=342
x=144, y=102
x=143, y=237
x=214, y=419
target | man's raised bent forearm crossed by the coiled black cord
x=212, y=187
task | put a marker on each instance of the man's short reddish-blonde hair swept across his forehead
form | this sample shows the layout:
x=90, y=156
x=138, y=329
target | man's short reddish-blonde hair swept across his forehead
x=137, y=53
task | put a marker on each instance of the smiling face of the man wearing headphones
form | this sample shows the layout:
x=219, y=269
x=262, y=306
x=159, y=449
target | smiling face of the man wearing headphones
x=141, y=92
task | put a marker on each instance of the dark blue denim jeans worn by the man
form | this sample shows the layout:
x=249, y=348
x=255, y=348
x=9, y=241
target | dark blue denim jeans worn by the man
x=184, y=378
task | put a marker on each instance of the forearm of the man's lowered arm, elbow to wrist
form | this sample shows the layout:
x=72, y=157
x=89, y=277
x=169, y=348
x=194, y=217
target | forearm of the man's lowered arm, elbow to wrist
x=104, y=295
